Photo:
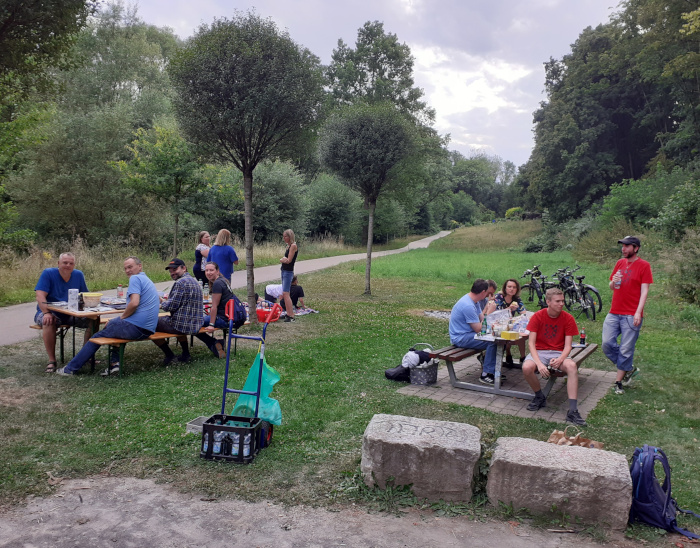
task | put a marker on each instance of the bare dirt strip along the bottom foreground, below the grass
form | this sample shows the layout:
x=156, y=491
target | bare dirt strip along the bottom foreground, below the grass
x=129, y=512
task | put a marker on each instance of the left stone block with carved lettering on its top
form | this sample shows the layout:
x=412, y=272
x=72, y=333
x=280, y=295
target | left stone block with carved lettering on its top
x=437, y=457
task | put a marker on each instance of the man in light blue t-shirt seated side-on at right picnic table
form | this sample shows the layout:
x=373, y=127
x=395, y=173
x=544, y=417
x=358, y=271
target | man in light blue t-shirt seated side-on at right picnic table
x=465, y=323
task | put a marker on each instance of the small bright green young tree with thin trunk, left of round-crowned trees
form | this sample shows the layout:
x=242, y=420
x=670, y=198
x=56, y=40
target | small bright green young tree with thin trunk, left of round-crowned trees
x=163, y=166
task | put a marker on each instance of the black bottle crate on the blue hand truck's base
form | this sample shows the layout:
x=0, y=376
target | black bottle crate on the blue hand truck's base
x=240, y=443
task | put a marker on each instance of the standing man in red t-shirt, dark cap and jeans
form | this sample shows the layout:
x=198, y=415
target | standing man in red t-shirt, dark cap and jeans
x=630, y=281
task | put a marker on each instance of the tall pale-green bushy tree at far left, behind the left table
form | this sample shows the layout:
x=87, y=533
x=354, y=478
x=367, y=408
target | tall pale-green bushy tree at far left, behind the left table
x=67, y=187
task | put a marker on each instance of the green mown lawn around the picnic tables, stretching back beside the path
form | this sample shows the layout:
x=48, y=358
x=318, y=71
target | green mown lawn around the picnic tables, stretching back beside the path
x=332, y=369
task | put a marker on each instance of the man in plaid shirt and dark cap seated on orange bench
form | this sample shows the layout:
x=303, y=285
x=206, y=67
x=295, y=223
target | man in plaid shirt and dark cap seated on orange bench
x=186, y=308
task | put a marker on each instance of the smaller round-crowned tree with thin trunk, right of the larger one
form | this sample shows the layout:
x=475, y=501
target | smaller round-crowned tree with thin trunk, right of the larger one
x=364, y=144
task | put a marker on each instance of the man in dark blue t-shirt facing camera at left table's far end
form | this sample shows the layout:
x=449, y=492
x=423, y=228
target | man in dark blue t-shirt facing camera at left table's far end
x=53, y=286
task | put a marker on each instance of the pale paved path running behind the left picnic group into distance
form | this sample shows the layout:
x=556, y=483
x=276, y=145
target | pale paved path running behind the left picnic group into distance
x=15, y=320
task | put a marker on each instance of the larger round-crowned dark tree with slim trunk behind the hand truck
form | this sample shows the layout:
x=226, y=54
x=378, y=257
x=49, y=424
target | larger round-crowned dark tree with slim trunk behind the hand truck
x=245, y=91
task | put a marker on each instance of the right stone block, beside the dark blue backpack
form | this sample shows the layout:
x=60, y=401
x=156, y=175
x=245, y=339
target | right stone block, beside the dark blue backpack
x=590, y=484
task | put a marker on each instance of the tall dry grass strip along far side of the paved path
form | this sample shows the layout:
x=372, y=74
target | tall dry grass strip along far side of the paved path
x=104, y=266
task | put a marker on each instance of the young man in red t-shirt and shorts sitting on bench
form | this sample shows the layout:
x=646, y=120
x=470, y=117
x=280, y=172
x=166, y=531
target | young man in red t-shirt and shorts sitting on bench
x=551, y=333
